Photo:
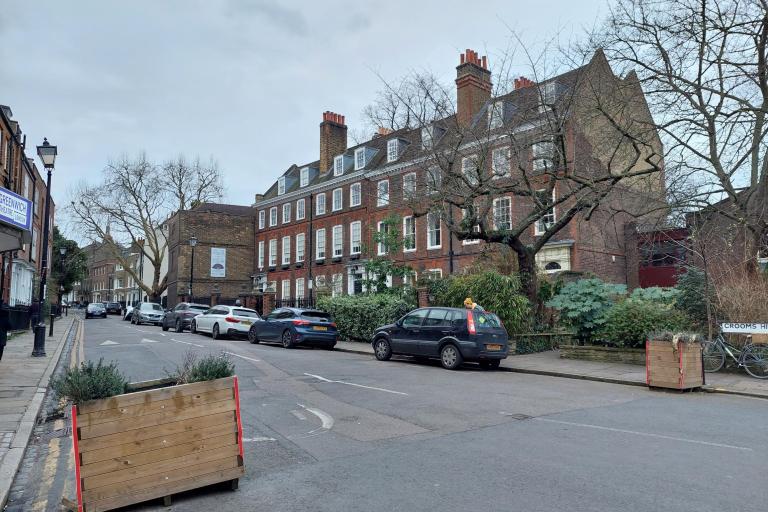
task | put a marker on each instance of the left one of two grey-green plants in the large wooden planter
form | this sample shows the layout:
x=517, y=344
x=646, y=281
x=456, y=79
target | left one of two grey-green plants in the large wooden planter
x=90, y=381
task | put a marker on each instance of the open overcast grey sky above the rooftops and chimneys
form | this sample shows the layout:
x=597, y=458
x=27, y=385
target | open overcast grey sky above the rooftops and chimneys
x=244, y=82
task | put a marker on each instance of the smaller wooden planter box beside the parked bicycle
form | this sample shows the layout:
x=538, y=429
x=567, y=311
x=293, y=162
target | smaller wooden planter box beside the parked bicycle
x=667, y=368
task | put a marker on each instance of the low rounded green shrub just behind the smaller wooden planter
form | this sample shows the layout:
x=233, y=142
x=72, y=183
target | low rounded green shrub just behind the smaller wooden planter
x=628, y=323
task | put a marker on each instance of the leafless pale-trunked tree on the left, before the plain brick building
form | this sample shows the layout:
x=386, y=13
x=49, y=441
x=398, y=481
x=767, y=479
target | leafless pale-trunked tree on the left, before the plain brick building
x=133, y=200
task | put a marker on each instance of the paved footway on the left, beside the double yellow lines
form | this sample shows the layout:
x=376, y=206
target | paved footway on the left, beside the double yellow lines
x=23, y=385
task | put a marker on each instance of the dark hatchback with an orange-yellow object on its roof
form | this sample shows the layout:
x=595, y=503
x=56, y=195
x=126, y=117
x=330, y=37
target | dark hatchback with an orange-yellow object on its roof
x=453, y=335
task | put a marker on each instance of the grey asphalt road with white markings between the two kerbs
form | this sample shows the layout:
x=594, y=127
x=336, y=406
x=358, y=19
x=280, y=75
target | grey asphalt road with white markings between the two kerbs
x=333, y=431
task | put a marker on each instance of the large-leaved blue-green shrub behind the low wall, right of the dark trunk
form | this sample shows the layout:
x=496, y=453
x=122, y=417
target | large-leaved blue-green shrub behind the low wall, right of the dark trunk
x=583, y=304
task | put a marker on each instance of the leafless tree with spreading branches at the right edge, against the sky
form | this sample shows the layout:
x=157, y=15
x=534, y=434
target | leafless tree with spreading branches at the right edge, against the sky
x=704, y=67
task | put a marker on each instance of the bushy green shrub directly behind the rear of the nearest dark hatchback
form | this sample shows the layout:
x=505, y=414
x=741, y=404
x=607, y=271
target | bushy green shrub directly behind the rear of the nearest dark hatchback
x=493, y=291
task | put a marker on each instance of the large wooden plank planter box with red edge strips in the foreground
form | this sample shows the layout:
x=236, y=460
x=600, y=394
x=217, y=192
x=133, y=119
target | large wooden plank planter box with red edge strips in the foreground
x=152, y=444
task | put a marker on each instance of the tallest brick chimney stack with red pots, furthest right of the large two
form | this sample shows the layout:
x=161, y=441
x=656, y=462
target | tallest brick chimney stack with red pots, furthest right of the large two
x=473, y=86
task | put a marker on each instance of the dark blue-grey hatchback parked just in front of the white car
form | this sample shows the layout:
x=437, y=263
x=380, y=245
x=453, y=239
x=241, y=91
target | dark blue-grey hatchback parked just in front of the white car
x=295, y=326
